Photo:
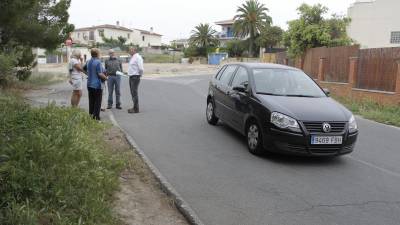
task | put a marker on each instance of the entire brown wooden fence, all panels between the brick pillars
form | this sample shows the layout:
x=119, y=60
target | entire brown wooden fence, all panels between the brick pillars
x=377, y=68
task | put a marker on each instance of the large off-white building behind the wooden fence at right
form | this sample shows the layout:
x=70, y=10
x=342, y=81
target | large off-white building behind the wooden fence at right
x=375, y=23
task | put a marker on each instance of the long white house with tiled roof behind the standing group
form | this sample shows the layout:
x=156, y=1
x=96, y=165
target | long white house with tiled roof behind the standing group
x=94, y=34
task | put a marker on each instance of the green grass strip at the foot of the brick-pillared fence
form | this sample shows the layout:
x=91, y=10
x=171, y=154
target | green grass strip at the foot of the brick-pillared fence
x=387, y=114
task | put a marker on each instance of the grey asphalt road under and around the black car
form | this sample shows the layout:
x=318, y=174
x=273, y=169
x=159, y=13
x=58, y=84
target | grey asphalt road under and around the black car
x=224, y=184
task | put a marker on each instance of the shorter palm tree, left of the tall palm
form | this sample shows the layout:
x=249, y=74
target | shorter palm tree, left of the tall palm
x=204, y=36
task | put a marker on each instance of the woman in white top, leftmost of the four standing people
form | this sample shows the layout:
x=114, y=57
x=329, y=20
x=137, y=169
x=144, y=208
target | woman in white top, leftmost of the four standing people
x=75, y=77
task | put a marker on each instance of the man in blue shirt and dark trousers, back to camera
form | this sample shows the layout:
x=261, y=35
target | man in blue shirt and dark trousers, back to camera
x=95, y=83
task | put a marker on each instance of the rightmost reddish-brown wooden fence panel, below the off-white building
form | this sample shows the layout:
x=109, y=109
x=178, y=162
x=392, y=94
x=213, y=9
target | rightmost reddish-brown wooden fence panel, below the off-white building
x=377, y=69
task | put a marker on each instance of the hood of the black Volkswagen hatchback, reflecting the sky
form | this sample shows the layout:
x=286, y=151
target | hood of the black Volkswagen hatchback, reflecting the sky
x=307, y=109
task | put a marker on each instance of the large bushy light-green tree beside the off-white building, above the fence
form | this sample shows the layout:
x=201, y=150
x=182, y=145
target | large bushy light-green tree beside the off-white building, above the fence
x=312, y=30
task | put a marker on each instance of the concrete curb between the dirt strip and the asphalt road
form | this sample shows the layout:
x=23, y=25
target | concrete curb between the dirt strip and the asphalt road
x=182, y=206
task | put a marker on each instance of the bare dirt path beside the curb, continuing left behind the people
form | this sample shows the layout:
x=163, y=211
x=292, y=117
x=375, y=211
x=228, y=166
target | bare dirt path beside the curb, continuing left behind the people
x=140, y=200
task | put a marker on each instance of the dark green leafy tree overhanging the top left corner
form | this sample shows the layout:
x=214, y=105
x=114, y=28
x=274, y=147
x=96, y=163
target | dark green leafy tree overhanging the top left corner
x=25, y=24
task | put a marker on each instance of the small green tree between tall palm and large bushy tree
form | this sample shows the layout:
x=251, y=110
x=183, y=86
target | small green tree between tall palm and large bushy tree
x=270, y=36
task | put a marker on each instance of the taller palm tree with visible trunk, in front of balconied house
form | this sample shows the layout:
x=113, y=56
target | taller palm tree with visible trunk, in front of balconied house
x=251, y=18
